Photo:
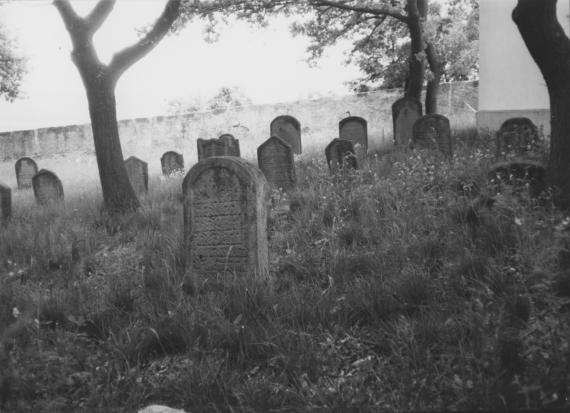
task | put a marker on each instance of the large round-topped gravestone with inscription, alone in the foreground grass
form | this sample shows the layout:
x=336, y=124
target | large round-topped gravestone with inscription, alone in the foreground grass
x=225, y=218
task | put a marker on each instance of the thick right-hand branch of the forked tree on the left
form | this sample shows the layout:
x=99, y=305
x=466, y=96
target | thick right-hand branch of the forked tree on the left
x=128, y=56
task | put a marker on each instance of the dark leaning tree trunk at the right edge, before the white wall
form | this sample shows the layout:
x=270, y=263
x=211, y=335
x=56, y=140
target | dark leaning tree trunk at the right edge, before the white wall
x=550, y=48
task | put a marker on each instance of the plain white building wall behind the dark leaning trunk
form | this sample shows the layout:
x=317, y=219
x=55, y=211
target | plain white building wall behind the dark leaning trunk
x=510, y=84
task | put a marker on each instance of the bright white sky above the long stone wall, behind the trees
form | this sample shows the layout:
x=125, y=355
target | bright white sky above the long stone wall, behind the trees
x=268, y=65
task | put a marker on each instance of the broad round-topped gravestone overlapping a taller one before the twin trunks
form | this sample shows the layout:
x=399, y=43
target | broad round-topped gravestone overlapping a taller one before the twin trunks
x=433, y=132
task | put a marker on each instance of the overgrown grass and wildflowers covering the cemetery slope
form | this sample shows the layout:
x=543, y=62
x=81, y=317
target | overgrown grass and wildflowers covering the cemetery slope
x=406, y=285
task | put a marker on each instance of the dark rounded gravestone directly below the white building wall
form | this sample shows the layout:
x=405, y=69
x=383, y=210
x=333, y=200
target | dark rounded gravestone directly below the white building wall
x=517, y=136
